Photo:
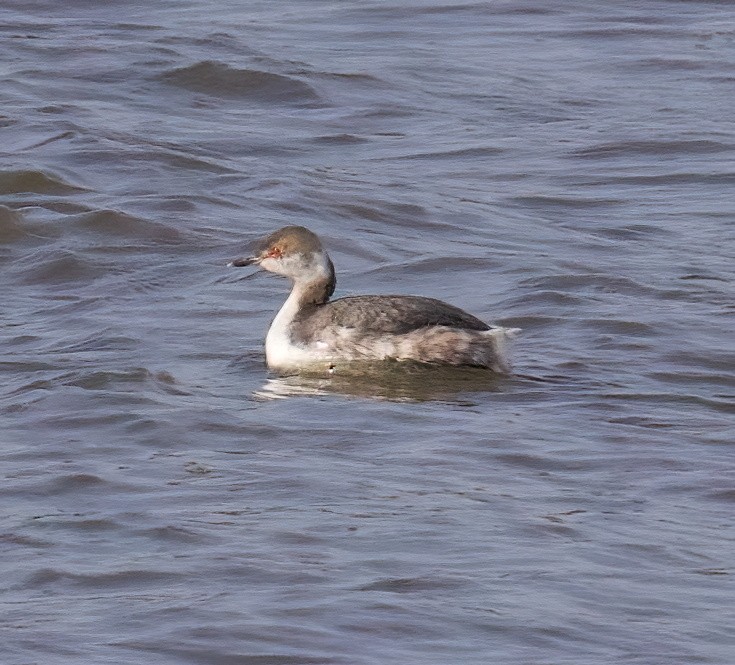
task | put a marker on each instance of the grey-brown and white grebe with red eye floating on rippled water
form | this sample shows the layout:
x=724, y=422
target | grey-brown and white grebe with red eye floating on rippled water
x=310, y=332
